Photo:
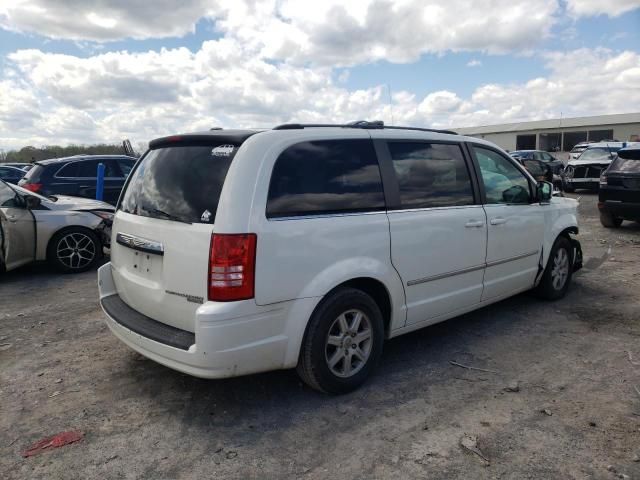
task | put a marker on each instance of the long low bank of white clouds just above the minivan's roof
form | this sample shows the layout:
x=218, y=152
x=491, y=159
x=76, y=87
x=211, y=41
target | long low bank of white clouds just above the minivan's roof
x=52, y=98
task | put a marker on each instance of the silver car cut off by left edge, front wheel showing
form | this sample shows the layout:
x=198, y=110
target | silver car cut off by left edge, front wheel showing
x=68, y=232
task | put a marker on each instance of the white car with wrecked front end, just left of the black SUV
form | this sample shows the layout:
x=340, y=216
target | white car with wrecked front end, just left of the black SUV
x=585, y=171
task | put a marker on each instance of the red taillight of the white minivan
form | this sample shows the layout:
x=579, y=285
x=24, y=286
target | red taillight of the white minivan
x=232, y=261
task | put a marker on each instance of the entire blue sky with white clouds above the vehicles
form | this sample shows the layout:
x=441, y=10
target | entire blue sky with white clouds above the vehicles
x=82, y=78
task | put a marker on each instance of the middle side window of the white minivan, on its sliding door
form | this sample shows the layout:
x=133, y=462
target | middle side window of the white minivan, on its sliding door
x=431, y=175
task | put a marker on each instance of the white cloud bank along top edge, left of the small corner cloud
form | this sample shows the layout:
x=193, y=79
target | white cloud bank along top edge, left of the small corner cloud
x=329, y=32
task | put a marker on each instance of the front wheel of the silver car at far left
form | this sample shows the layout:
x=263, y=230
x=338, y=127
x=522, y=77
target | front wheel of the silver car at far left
x=74, y=250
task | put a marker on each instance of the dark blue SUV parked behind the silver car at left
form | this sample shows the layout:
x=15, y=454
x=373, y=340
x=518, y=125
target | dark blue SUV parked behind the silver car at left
x=76, y=176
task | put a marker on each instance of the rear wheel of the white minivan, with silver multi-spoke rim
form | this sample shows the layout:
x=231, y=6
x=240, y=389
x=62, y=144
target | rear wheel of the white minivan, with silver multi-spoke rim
x=343, y=342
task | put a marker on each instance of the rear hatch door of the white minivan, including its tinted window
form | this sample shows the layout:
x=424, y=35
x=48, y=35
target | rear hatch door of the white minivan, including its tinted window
x=162, y=230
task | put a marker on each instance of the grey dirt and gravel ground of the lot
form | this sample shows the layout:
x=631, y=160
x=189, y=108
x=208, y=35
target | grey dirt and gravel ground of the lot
x=578, y=359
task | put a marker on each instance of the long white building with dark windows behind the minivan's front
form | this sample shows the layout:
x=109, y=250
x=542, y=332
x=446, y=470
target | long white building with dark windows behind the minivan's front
x=559, y=134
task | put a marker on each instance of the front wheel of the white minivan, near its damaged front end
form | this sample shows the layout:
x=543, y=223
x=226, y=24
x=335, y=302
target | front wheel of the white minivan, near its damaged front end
x=557, y=274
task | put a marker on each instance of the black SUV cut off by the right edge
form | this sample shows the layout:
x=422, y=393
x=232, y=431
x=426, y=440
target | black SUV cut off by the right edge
x=619, y=196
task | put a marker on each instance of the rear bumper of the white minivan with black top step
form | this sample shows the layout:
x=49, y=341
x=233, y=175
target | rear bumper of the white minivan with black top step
x=230, y=338
